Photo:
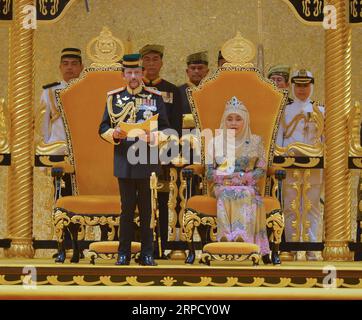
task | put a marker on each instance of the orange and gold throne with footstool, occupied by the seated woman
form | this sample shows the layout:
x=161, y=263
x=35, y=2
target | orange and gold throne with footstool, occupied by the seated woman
x=265, y=104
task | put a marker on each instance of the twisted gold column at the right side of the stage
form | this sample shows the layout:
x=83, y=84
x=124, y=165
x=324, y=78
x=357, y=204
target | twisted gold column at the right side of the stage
x=338, y=99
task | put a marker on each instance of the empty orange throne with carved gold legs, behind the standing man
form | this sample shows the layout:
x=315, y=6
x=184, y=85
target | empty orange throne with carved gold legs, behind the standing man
x=95, y=199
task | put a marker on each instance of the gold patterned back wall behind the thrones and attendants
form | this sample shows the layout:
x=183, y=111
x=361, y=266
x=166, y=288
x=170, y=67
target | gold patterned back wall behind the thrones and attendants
x=183, y=27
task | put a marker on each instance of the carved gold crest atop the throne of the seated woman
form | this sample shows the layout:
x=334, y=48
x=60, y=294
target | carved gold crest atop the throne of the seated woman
x=239, y=51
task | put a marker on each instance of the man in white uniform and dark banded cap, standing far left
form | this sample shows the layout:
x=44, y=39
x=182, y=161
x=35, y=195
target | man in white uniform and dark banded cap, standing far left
x=53, y=128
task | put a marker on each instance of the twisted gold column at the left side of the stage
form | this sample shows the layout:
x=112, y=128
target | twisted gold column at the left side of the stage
x=20, y=198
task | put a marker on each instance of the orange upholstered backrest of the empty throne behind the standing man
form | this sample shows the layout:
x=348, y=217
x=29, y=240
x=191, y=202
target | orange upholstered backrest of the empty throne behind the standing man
x=82, y=105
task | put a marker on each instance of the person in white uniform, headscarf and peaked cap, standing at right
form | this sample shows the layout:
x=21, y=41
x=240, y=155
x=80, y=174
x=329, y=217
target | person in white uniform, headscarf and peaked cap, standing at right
x=298, y=125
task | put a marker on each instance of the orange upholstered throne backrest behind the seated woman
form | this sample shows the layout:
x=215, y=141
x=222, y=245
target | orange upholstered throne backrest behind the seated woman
x=263, y=100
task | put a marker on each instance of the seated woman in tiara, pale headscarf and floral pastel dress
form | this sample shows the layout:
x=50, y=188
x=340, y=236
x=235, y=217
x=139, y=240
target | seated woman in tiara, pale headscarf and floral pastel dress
x=236, y=160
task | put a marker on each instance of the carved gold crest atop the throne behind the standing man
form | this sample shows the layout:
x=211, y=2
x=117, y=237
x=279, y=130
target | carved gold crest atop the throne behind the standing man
x=105, y=50
